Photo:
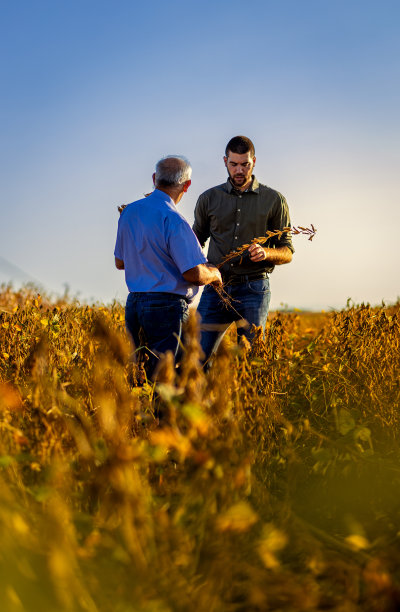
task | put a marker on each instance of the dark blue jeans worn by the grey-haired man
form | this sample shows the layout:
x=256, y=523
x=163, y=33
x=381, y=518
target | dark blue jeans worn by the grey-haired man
x=154, y=322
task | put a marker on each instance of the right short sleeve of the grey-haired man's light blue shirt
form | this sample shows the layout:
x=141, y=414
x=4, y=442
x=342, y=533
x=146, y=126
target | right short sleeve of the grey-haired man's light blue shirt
x=184, y=248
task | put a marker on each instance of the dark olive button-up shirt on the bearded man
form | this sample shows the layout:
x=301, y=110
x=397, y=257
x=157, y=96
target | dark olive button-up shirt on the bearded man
x=231, y=218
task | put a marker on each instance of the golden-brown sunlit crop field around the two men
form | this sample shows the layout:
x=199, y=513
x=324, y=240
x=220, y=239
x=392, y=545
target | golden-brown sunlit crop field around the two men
x=274, y=484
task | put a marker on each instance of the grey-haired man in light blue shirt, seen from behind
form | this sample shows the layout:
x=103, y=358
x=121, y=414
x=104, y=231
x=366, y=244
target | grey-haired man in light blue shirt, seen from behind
x=163, y=262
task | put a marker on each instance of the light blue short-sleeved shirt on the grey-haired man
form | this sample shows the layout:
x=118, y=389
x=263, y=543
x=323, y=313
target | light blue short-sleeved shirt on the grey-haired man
x=157, y=245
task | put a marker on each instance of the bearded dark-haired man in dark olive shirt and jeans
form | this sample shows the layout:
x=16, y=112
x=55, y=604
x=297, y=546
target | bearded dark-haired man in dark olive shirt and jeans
x=233, y=214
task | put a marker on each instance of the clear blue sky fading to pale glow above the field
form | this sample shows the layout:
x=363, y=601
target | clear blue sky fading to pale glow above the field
x=94, y=92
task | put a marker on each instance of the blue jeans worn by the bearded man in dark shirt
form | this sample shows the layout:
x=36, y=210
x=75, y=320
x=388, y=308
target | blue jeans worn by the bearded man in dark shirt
x=251, y=303
